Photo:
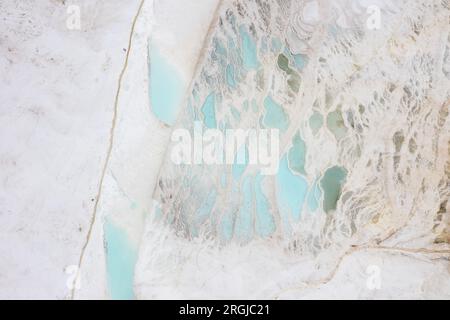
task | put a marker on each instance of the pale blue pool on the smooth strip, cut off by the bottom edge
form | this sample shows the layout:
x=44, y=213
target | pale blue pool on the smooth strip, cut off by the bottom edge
x=121, y=258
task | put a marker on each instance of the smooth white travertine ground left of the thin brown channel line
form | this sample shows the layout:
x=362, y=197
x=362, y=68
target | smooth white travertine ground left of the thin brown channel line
x=57, y=93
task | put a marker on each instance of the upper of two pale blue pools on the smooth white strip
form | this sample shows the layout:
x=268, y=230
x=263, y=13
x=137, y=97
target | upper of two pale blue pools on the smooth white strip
x=166, y=87
